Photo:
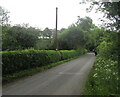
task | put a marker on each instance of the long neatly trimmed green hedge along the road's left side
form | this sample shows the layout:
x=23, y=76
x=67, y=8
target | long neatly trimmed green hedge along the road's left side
x=15, y=61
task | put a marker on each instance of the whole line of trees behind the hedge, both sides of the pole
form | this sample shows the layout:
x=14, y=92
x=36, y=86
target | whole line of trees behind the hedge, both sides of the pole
x=78, y=35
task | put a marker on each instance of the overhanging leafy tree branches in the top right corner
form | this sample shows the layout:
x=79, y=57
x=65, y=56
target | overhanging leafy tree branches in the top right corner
x=111, y=11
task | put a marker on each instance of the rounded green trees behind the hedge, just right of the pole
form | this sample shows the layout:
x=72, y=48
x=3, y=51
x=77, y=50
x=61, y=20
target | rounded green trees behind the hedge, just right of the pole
x=81, y=34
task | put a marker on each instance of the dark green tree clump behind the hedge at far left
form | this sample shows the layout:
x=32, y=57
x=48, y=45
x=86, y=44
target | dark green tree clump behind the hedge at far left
x=16, y=37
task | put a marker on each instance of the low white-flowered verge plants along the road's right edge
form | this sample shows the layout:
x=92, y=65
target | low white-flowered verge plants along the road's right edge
x=103, y=78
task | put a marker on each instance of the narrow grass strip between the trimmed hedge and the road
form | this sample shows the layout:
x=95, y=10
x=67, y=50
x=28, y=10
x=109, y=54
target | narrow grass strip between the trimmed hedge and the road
x=15, y=76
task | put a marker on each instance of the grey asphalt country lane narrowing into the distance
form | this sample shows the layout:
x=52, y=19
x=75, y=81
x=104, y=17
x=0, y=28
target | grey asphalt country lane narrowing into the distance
x=66, y=79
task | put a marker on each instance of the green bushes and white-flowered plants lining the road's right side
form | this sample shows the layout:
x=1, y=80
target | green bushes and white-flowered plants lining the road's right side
x=104, y=78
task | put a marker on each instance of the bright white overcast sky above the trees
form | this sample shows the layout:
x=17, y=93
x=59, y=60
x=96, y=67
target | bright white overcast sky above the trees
x=41, y=13
